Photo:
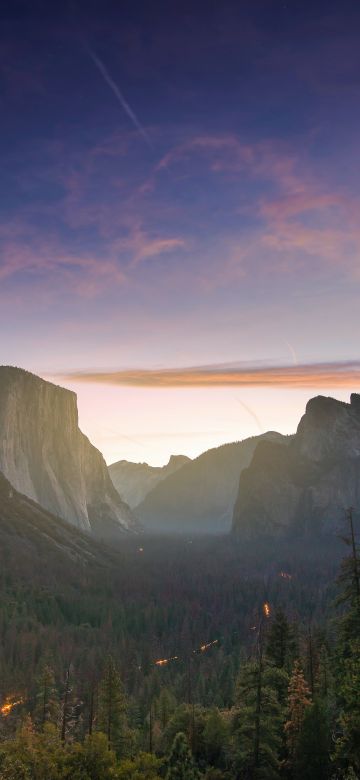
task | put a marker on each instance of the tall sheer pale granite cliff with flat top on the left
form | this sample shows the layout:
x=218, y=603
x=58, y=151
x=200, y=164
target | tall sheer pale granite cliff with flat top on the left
x=45, y=456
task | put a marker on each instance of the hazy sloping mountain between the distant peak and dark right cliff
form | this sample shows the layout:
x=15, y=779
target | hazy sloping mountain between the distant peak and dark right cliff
x=199, y=497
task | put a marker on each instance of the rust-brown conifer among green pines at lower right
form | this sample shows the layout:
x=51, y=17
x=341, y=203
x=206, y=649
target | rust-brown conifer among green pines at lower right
x=298, y=701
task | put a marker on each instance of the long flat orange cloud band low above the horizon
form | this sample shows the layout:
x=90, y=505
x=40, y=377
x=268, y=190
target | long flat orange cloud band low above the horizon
x=309, y=375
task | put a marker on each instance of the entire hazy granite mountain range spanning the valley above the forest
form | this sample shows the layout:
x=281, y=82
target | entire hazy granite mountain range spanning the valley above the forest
x=269, y=485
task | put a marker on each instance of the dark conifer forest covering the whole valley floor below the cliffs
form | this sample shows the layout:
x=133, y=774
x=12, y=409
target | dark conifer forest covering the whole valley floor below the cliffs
x=183, y=658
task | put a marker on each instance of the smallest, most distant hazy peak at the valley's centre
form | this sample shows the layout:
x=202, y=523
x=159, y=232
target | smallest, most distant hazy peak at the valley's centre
x=135, y=480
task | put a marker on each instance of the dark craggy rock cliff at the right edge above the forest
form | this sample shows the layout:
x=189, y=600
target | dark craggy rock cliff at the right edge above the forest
x=304, y=484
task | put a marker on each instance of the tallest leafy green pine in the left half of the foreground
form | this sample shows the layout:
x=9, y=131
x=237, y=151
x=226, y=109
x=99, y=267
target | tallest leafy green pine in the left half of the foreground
x=112, y=708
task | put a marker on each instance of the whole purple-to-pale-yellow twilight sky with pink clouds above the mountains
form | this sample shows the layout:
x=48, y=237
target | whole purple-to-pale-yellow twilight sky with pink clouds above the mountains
x=179, y=213
